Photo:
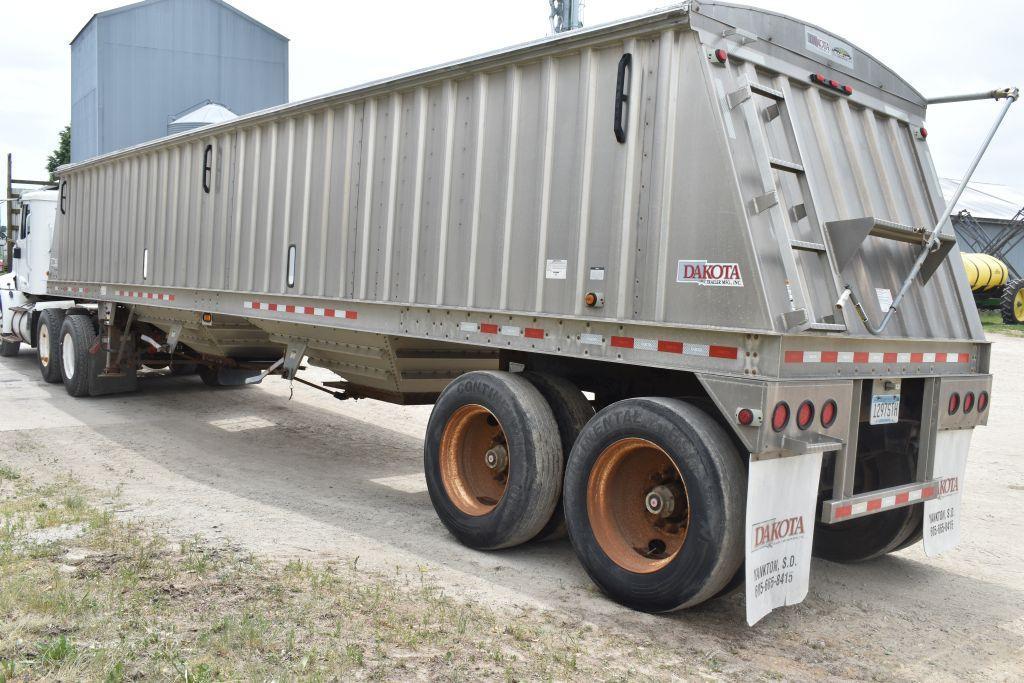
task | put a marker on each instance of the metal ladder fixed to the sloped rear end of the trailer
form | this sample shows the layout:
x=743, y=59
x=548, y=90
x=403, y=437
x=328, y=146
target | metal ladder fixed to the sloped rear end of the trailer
x=800, y=317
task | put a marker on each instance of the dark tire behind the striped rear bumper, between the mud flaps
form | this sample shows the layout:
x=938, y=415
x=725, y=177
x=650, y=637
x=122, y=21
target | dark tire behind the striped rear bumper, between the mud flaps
x=864, y=539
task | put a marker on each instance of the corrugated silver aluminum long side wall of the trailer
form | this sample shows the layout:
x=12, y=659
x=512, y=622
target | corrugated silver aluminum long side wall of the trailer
x=464, y=192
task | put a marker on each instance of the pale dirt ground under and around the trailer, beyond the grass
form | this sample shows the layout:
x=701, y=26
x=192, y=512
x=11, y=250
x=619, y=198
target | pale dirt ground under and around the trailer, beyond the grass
x=319, y=480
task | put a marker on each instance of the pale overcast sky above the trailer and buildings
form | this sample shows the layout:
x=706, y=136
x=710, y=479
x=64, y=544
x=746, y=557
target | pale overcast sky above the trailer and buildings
x=941, y=47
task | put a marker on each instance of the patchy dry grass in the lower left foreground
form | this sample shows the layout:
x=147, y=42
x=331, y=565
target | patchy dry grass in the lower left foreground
x=116, y=603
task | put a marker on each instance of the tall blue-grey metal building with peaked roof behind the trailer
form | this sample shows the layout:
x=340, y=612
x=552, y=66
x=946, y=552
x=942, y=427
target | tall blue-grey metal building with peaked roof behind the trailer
x=135, y=68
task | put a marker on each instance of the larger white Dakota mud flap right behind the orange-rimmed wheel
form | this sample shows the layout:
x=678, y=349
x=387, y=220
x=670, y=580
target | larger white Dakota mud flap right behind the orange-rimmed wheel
x=782, y=501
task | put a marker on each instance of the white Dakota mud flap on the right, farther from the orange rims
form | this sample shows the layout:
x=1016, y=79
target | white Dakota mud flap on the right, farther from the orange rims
x=943, y=515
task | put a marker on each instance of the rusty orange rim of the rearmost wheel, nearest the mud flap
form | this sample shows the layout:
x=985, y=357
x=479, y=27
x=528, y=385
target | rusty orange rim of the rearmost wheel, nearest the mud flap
x=638, y=505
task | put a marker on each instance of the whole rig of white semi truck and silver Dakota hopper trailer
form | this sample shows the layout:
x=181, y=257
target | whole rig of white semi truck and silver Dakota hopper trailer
x=722, y=223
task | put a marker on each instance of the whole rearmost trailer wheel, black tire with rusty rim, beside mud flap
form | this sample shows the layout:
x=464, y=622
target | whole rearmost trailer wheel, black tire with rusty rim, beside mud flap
x=655, y=497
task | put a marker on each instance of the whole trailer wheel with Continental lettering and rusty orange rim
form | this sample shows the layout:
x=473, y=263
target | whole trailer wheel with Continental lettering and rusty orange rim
x=493, y=460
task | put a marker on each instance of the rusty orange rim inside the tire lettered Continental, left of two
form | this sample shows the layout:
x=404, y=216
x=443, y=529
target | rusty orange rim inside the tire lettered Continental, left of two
x=475, y=460
